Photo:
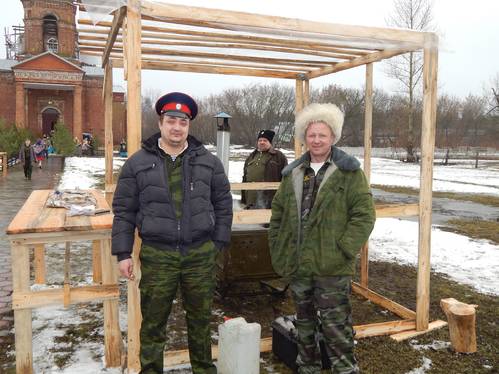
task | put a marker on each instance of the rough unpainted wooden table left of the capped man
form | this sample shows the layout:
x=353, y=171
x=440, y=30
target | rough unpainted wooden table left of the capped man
x=36, y=225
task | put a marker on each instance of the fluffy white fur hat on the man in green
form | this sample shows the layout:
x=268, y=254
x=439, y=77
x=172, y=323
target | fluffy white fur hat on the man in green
x=329, y=114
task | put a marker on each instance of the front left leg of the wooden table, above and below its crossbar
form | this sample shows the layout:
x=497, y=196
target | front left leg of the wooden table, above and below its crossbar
x=22, y=317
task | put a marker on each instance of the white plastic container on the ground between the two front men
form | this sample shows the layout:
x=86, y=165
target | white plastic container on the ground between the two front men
x=239, y=347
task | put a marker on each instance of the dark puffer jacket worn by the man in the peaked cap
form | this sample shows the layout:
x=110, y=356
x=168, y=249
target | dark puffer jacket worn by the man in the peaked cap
x=142, y=199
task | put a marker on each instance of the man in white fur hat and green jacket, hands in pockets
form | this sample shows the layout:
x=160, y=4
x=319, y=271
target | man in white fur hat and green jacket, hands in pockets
x=322, y=214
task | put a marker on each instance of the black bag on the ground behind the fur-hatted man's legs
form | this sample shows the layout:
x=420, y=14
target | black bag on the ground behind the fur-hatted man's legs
x=284, y=337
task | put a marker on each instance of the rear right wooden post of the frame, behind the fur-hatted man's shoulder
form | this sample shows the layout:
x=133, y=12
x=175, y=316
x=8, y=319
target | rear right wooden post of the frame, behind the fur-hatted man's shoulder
x=368, y=124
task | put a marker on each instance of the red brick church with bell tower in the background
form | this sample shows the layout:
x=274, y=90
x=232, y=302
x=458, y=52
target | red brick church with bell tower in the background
x=43, y=81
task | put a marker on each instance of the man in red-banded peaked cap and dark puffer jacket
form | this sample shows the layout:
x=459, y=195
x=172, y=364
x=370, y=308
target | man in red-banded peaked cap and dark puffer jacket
x=177, y=195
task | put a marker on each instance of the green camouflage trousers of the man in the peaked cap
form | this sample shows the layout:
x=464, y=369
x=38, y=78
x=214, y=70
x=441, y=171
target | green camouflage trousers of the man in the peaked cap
x=162, y=273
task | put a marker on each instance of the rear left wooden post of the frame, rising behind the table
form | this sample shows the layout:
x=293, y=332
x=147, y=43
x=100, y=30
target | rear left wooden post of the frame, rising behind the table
x=108, y=129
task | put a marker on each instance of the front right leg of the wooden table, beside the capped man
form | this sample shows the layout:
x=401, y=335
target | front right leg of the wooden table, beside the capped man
x=112, y=333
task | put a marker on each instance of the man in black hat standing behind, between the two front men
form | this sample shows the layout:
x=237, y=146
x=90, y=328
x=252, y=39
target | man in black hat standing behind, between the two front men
x=264, y=164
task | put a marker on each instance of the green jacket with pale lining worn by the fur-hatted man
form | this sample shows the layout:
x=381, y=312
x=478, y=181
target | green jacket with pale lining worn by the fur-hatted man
x=339, y=223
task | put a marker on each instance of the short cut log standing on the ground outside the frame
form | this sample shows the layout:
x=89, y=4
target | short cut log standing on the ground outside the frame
x=461, y=318
